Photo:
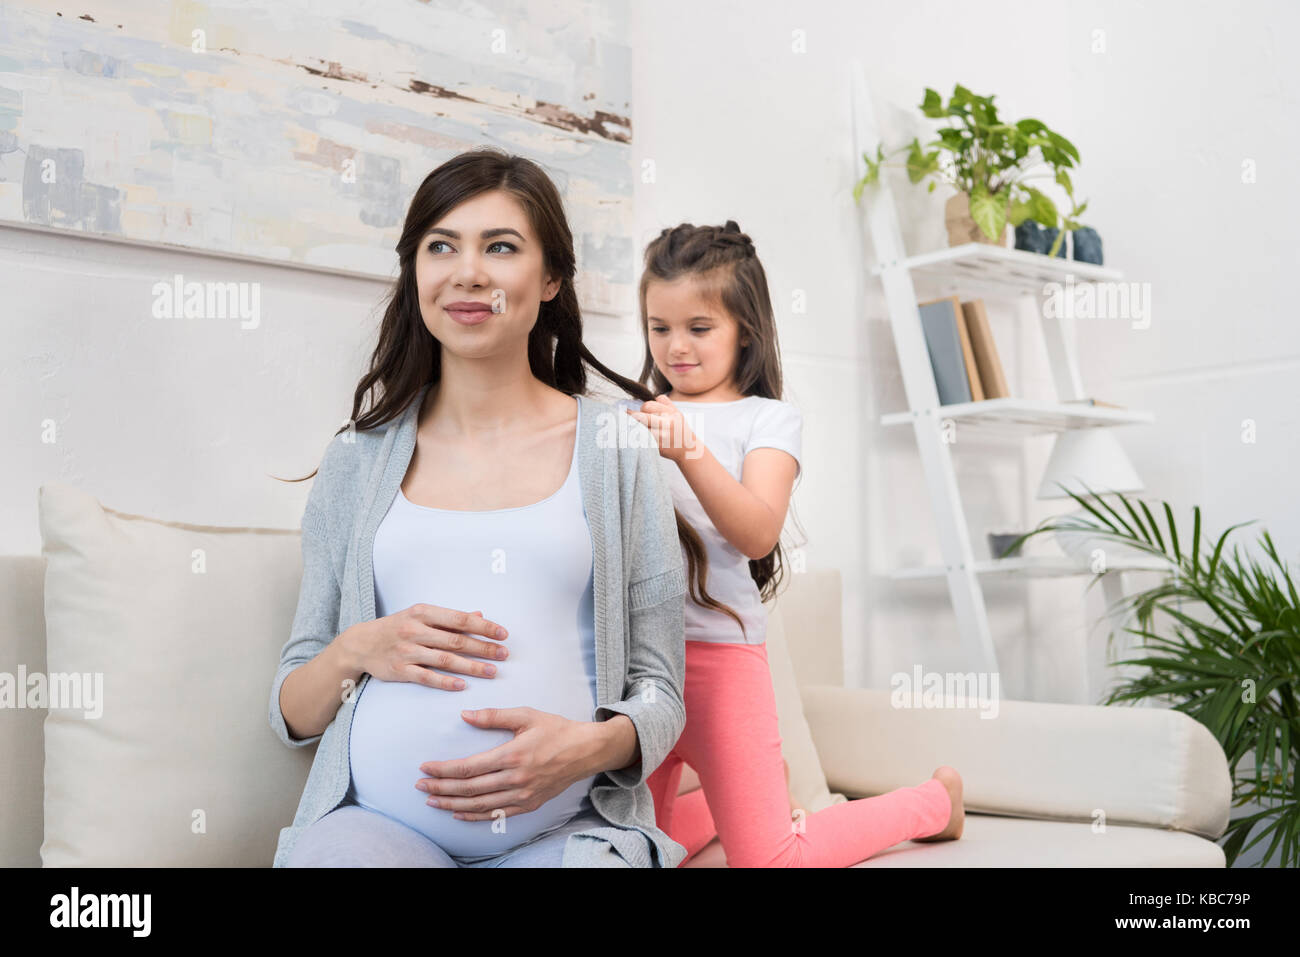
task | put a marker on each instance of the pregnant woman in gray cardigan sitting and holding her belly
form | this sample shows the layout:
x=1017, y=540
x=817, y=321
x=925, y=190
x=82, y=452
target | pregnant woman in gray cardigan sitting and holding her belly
x=489, y=640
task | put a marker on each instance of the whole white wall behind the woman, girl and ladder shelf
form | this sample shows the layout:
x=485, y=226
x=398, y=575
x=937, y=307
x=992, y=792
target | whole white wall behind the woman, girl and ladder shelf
x=187, y=419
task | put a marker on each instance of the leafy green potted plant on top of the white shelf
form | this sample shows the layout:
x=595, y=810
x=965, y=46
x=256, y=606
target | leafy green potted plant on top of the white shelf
x=990, y=164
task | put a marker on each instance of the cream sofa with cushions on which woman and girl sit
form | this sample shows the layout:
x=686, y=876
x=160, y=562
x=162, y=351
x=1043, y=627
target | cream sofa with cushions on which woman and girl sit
x=185, y=625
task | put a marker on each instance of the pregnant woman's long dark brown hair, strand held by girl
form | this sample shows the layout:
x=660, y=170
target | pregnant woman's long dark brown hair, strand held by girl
x=408, y=357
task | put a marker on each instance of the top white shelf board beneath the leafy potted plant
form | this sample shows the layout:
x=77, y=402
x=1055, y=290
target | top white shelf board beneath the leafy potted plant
x=998, y=266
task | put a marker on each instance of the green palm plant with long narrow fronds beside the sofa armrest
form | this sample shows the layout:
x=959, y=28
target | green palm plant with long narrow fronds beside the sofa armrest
x=1234, y=669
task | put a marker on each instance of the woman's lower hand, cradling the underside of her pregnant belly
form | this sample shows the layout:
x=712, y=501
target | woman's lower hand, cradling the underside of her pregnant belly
x=547, y=756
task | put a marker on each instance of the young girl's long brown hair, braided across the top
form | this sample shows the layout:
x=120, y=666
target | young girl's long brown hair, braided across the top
x=726, y=269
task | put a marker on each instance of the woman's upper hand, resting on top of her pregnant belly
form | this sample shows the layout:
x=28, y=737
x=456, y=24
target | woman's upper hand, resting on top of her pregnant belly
x=409, y=647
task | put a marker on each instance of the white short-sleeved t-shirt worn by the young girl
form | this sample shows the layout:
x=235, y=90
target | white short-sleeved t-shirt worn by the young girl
x=731, y=431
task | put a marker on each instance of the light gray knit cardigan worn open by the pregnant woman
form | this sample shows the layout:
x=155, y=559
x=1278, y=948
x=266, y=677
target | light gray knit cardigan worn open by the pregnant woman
x=639, y=586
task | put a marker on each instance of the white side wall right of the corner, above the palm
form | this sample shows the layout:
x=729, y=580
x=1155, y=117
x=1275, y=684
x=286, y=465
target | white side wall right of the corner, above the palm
x=1173, y=109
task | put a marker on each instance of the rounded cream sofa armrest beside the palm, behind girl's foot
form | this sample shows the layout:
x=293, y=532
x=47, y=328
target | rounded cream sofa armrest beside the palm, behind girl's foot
x=1137, y=765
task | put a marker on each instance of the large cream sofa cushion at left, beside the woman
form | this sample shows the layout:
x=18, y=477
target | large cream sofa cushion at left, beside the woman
x=179, y=627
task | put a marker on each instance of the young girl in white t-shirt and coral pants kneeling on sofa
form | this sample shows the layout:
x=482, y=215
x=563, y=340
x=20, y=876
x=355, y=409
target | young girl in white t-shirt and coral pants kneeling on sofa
x=731, y=452
